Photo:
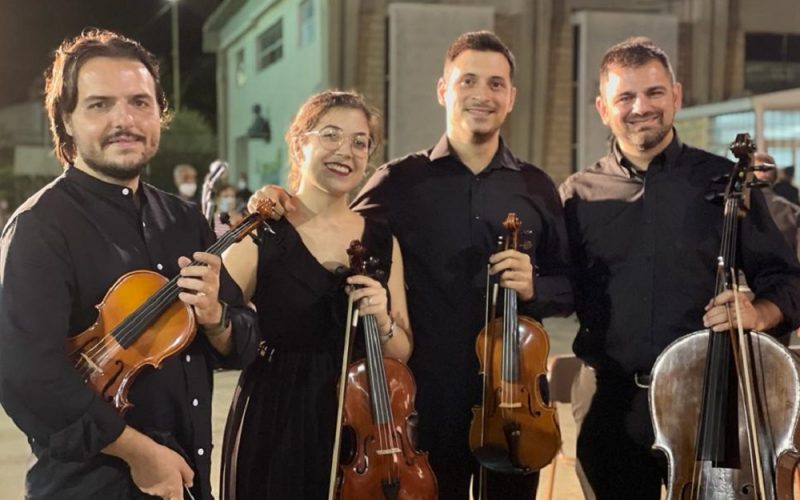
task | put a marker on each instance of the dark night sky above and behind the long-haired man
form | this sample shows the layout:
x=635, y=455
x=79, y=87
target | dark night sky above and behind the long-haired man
x=31, y=29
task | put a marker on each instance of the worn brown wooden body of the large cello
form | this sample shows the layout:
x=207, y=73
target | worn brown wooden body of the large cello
x=675, y=403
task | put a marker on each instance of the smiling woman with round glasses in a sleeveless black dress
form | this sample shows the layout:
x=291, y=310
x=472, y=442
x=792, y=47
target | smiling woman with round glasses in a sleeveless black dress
x=280, y=431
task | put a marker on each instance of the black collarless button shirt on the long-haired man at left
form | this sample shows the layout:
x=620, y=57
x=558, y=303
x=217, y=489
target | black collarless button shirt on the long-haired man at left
x=59, y=255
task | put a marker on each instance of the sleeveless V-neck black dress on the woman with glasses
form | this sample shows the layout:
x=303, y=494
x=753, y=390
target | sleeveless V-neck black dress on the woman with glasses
x=280, y=429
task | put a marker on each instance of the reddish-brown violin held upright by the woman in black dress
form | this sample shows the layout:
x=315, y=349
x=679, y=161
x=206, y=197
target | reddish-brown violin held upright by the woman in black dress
x=376, y=412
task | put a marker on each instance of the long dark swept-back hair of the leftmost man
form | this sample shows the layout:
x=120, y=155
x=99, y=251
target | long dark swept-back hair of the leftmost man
x=61, y=87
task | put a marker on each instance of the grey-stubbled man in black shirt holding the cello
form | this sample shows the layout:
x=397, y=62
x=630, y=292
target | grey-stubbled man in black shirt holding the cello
x=644, y=240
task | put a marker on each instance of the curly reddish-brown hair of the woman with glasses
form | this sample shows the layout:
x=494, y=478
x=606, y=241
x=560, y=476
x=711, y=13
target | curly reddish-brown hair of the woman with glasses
x=309, y=115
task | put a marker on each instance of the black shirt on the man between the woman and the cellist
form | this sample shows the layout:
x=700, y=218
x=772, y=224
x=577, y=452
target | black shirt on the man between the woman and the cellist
x=447, y=220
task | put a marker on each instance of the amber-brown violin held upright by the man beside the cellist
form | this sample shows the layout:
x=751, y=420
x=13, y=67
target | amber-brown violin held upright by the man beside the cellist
x=515, y=429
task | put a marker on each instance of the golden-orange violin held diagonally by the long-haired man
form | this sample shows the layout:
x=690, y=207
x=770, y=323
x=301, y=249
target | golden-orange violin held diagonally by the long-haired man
x=142, y=322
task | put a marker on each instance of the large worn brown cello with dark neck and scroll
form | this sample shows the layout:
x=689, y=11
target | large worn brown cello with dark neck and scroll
x=733, y=431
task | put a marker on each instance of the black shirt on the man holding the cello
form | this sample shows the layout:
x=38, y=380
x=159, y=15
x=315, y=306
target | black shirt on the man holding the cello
x=644, y=249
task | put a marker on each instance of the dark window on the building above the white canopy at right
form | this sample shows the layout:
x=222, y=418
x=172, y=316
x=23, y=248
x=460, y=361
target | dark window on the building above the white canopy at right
x=772, y=61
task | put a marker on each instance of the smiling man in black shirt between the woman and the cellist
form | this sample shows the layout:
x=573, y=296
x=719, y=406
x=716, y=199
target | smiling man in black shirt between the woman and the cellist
x=446, y=206
